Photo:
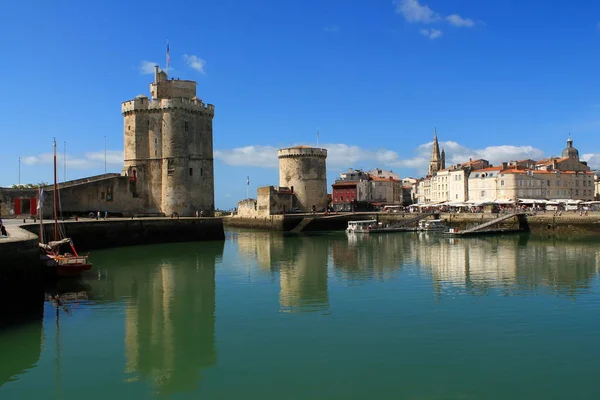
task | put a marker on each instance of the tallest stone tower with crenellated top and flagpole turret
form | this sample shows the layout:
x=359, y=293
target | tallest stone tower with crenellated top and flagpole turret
x=169, y=148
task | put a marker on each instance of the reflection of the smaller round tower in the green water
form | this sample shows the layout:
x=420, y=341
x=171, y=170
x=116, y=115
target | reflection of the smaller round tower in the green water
x=303, y=279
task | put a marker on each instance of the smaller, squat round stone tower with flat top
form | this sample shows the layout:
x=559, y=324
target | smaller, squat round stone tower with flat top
x=303, y=169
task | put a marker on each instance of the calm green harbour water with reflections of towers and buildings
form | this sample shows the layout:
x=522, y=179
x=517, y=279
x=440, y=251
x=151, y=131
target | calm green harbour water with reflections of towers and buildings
x=264, y=315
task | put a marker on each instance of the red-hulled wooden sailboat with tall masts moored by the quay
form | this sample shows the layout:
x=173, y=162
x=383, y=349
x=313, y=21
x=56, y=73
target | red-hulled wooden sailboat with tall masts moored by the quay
x=67, y=264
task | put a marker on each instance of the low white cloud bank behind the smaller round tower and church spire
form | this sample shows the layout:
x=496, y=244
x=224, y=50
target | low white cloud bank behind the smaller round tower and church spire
x=347, y=156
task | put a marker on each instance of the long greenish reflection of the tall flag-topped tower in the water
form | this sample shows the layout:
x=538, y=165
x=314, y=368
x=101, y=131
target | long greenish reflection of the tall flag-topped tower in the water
x=169, y=324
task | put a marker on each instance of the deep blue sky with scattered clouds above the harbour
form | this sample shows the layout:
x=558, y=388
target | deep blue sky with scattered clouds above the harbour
x=499, y=79
